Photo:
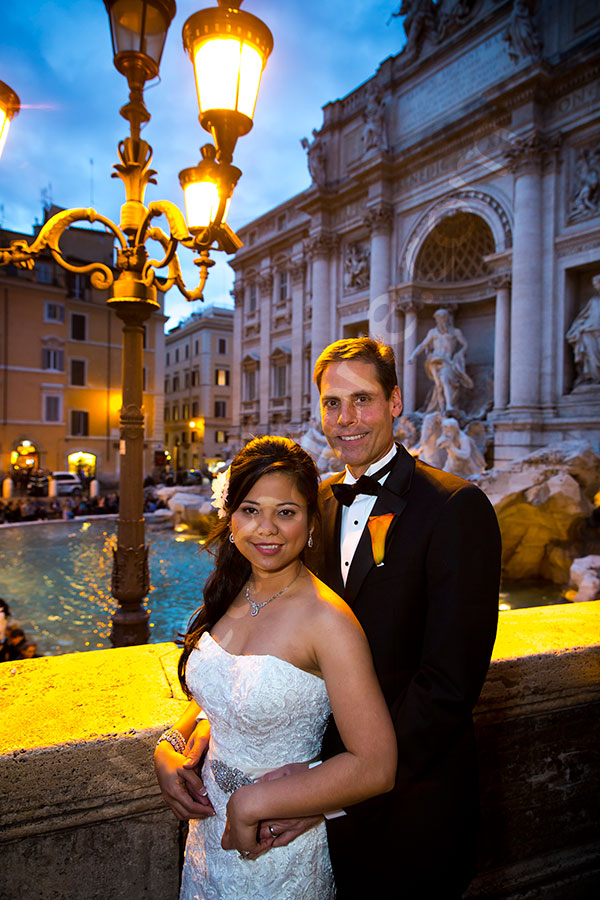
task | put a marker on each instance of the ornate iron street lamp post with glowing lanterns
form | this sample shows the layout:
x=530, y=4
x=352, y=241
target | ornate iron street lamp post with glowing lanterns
x=229, y=48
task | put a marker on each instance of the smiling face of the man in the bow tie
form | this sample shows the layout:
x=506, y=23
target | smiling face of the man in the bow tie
x=358, y=419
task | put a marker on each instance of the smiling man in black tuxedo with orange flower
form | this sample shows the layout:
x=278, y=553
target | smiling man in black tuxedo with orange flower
x=415, y=552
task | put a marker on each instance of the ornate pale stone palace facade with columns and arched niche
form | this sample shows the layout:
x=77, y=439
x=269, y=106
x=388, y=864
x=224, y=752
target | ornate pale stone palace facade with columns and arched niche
x=464, y=175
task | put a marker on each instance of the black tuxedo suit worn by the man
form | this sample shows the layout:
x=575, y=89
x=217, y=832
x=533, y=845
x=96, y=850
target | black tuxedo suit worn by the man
x=430, y=615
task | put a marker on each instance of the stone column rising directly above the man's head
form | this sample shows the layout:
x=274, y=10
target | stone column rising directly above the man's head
x=382, y=316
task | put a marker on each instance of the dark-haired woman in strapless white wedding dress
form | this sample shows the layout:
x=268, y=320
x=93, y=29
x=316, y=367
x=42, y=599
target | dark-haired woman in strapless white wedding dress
x=271, y=654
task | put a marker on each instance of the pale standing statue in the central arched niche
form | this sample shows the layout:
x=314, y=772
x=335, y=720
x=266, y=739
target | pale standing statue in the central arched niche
x=445, y=347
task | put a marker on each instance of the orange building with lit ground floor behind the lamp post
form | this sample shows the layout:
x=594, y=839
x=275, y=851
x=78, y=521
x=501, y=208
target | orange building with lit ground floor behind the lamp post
x=60, y=367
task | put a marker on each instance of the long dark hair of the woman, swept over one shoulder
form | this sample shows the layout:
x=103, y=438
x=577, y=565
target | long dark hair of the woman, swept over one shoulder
x=261, y=456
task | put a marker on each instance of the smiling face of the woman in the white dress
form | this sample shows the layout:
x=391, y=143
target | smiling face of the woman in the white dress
x=270, y=526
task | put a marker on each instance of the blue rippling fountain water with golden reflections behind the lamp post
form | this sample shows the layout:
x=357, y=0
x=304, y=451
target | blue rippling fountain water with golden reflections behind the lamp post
x=56, y=577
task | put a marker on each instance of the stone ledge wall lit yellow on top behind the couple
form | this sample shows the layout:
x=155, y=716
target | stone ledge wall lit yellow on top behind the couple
x=81, y=817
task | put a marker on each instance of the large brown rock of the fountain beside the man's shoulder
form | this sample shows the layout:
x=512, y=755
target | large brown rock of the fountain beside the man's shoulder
x=543, y=502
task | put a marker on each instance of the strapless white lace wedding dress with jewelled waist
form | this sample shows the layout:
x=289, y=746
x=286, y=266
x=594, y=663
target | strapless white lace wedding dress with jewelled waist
x=264, y=712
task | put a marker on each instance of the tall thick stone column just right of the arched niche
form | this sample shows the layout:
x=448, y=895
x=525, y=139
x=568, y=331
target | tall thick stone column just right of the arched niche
x=525, y=161
